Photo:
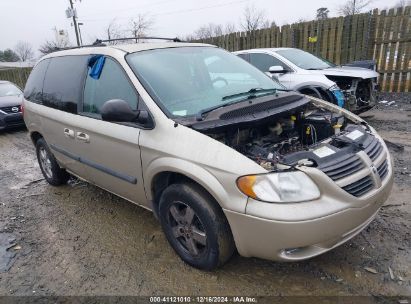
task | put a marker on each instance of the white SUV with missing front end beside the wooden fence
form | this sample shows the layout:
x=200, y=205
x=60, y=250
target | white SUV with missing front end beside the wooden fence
x=350, y=87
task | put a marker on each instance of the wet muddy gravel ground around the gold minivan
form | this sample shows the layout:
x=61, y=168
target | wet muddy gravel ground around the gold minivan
x=80, y=240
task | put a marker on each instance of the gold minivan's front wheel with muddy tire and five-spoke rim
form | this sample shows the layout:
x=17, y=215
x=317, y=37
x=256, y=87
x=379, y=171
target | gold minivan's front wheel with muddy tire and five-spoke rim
x=195, y=226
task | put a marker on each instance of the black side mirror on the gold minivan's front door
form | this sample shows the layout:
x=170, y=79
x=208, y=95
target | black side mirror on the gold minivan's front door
x=118, y=110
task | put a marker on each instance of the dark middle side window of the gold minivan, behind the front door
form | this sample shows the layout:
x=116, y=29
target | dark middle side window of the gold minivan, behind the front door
x=63, y=83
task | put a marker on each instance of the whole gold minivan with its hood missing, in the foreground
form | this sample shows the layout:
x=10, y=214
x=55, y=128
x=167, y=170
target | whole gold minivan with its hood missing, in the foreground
x=225, y=157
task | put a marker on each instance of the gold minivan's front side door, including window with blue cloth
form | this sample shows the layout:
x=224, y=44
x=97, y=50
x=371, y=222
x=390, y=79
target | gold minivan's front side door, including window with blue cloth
x=109, y=150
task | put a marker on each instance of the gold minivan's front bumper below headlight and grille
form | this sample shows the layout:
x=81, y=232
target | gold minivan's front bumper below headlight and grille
x=292, y=232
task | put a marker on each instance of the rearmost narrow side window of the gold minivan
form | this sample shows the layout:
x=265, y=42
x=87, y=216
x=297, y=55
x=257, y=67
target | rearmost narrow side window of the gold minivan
x=34, y=85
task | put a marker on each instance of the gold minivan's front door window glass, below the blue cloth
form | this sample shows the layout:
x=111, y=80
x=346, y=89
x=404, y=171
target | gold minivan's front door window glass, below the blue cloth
x=112, y=83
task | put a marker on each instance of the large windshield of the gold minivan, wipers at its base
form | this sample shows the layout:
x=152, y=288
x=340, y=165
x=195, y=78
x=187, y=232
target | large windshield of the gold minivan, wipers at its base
x=187, y=80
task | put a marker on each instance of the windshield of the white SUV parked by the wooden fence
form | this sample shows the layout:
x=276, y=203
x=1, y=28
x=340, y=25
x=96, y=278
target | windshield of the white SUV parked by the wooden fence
x=305, y=60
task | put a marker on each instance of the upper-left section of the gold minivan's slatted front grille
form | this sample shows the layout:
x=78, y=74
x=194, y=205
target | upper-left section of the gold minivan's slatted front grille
x=340, y=168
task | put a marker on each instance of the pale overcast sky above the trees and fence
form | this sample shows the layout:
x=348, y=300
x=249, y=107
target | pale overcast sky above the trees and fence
x=36, y=21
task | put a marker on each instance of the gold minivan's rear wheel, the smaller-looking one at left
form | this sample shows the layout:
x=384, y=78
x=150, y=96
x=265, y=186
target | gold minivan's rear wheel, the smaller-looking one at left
x=52, y=172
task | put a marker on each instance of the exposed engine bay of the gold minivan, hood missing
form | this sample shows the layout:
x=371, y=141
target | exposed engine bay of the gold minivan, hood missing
x=306, y=135
